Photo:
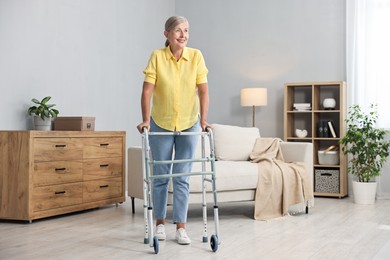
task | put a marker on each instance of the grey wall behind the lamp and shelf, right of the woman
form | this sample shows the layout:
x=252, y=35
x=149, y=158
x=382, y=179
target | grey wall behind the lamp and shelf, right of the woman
x=254, y=43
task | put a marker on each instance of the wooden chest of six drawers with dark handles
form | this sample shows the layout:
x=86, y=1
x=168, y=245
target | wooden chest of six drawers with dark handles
x=47, y=173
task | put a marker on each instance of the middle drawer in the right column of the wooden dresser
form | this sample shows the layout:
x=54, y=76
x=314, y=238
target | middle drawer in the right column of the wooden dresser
x=102, y=168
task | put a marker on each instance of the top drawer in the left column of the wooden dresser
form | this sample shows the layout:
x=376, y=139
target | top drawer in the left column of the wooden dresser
x=57, y=149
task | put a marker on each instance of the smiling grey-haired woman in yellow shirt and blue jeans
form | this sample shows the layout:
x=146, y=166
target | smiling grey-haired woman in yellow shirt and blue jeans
x=176, y=82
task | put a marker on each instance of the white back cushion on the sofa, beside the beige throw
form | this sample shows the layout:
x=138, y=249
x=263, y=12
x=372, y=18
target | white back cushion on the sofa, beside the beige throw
x=234, y=143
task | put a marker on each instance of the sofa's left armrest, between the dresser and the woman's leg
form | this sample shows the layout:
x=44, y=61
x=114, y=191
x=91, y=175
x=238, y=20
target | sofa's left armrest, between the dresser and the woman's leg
x=134, y=171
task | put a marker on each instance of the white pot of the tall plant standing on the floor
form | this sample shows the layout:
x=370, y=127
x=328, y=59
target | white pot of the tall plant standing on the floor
x=364, y=192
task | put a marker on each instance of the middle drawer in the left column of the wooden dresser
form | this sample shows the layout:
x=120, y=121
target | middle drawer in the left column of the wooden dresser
x=59, y=172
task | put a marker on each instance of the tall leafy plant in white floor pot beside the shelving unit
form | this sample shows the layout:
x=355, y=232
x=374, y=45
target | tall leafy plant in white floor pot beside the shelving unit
x=368, y=150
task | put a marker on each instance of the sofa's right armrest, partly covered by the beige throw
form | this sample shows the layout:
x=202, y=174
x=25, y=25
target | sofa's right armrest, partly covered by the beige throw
x=299, y=152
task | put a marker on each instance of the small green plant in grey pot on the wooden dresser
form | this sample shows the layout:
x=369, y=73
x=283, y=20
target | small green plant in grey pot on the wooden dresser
x=43, y=114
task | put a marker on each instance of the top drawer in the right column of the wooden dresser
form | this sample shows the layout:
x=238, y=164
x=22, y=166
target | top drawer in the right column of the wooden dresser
x=102, y=147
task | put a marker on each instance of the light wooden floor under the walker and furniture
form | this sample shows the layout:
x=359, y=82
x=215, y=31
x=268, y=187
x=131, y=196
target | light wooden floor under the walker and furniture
x=334, y=229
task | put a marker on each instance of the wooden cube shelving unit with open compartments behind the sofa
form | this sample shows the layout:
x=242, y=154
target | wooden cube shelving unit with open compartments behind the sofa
x=315, y=93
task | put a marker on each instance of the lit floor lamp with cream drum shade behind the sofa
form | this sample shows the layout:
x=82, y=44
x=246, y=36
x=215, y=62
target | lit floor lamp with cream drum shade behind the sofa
x=253, y=97
